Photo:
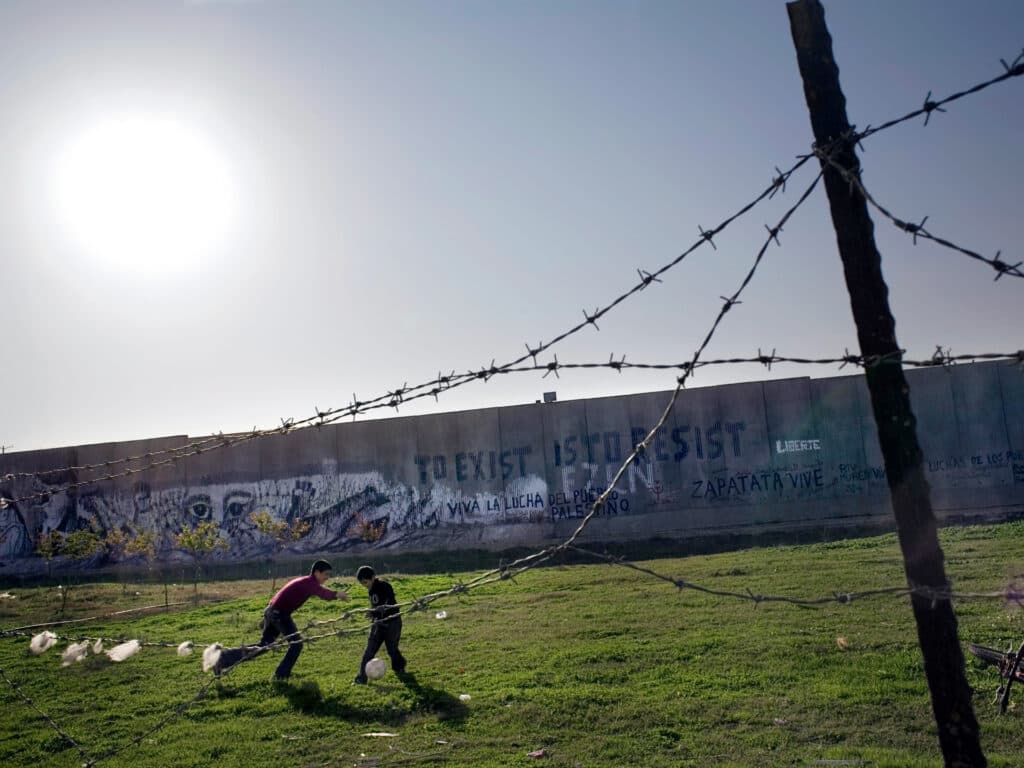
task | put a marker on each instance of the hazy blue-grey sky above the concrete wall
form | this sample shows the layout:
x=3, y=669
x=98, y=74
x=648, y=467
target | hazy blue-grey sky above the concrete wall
x=215, y=216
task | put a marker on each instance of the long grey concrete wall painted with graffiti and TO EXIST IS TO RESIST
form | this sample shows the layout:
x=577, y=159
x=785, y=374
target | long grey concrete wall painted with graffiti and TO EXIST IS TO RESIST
x=790, y=455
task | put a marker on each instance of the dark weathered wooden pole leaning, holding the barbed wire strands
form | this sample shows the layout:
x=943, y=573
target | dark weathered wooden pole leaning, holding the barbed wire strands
x=923, y=559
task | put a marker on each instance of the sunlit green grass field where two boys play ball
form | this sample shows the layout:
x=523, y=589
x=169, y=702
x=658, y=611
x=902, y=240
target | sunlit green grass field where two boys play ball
x=596, y=665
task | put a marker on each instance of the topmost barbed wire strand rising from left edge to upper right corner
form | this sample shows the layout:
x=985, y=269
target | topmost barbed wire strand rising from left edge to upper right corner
x=443, y=382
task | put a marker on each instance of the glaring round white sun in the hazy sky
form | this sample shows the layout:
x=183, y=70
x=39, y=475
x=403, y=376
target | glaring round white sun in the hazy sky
x=145, y=194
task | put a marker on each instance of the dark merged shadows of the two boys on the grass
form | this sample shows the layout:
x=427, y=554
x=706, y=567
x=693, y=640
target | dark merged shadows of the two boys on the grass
x=416, y=698
